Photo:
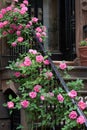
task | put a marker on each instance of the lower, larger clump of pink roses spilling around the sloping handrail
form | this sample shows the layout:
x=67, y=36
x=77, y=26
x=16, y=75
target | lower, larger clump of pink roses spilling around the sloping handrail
x=40, y=96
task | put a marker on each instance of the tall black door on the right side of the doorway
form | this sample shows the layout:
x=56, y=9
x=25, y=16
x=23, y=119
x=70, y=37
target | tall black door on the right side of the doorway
x=67, y=29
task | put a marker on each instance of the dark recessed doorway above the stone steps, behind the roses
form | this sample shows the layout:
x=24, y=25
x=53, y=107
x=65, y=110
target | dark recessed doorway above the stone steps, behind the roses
x=59, y=18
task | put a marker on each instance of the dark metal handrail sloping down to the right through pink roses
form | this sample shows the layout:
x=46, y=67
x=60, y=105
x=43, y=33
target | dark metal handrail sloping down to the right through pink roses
x=59, y=77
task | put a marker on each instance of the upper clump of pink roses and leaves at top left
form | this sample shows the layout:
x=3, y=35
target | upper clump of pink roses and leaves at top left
x=17, y=25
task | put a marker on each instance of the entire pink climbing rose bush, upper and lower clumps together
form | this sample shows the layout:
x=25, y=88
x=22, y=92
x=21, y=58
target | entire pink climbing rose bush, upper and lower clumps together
x=39, y=94
